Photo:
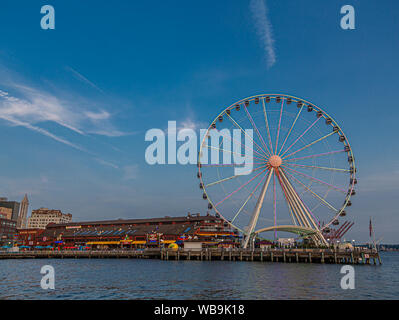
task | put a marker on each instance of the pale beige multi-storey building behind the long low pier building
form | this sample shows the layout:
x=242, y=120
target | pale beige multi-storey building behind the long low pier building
x=40, y=218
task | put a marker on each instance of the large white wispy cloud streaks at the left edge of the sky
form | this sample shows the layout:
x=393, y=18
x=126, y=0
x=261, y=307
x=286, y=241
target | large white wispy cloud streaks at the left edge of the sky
x=30, y=108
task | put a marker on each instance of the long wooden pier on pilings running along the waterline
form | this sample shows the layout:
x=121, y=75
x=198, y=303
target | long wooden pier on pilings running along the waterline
x=331, y=256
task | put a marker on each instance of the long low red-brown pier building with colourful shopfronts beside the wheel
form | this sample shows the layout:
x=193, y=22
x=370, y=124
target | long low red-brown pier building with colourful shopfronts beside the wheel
x=138, y=233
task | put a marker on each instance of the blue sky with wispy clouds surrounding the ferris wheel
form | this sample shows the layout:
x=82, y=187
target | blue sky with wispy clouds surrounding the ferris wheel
x=85, y=93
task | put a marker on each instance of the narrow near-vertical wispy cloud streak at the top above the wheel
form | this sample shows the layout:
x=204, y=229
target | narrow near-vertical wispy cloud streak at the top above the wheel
x=264, y=29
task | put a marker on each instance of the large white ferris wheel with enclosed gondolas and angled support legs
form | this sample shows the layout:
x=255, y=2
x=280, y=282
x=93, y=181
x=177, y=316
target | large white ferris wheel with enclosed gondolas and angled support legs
x=302, y=170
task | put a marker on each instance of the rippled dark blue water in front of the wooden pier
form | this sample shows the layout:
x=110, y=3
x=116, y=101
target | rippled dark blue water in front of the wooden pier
x=156, y=279
